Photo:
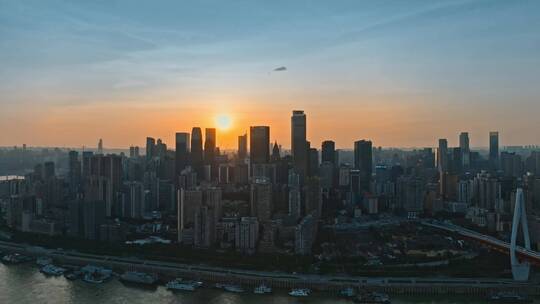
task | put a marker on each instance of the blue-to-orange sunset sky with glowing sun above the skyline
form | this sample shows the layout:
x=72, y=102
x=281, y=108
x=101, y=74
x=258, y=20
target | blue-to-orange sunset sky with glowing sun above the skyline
x=401, y=73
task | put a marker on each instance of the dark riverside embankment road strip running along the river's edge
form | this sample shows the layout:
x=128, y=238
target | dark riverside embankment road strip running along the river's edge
x=327, y=283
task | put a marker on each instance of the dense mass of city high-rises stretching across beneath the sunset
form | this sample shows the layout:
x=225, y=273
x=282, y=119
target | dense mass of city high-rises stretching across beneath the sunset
x=261, y=199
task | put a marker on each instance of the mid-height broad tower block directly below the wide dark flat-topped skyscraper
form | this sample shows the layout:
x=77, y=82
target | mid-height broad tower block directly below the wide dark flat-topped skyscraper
x=261, y=199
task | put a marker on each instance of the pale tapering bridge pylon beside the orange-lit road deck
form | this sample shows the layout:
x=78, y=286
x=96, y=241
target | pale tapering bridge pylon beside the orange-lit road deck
x=520, y=270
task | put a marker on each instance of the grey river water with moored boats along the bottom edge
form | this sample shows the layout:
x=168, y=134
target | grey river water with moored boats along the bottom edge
x=24, y=284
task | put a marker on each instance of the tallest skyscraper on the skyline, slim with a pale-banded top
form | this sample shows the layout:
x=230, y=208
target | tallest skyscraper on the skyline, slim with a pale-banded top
x=298, y=143
